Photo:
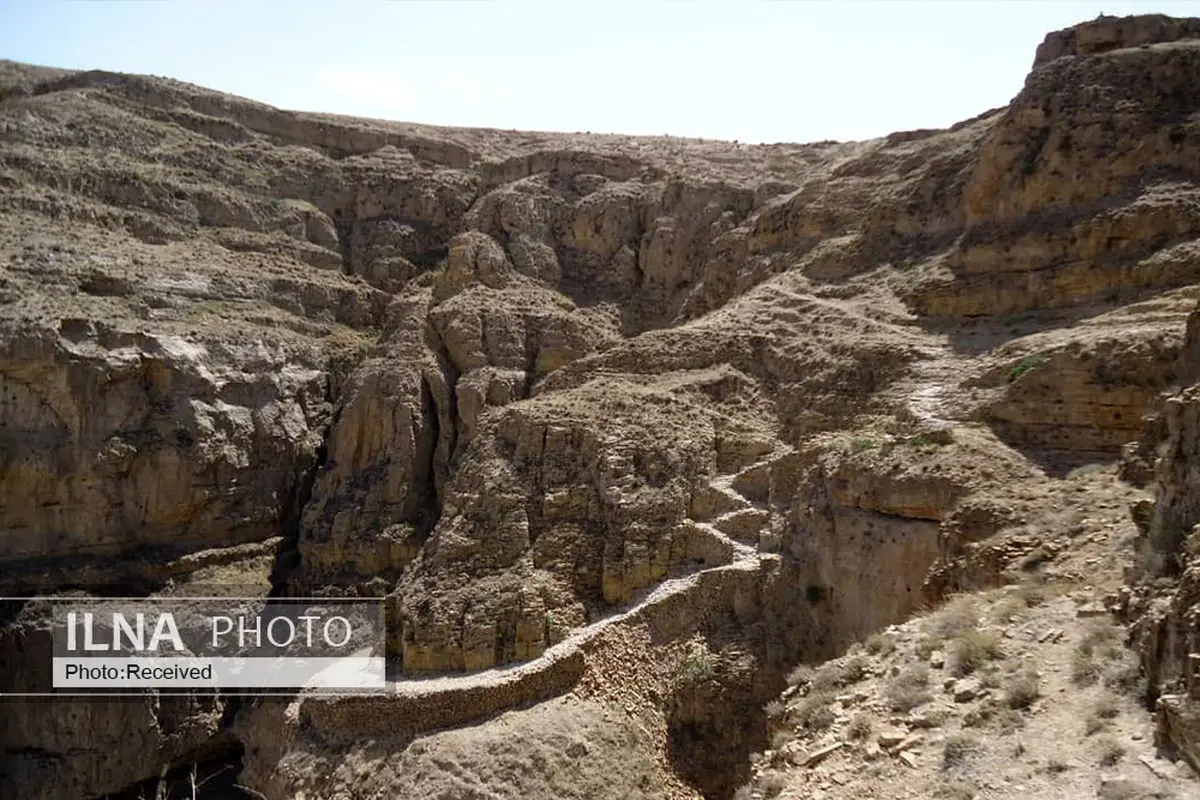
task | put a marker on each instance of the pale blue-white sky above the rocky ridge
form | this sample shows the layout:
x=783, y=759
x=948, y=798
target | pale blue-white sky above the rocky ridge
x=757, y=71
